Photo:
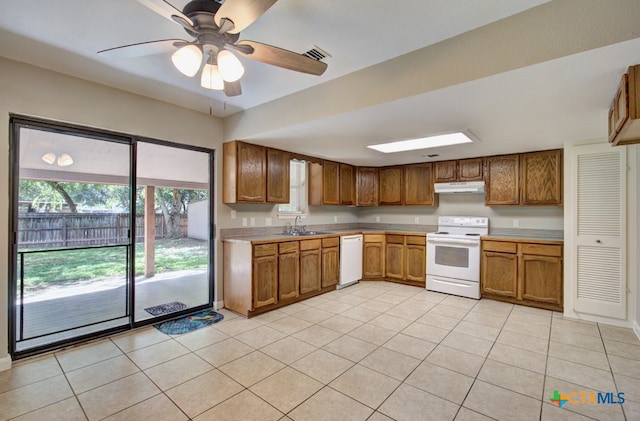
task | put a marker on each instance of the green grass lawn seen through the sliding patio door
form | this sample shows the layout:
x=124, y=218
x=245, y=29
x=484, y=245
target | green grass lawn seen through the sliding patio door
x=62, y=267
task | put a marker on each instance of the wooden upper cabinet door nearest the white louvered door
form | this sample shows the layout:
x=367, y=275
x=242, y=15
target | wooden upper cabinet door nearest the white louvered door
x=541, y=178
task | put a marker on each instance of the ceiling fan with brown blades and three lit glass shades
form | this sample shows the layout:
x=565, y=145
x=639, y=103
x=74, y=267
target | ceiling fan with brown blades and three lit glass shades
x=215, y=28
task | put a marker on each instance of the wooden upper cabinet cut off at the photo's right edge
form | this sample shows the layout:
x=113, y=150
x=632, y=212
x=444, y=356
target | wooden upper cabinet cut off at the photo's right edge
x=624, y=114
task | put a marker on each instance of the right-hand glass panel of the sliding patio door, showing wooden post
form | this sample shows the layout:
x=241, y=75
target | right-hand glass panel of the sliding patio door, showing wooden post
x=173, y=230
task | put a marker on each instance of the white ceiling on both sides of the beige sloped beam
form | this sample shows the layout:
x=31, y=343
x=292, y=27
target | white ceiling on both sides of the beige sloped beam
x=538, y=106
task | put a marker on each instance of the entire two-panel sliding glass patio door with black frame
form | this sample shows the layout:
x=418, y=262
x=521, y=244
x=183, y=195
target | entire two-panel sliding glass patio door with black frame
x=110, y=232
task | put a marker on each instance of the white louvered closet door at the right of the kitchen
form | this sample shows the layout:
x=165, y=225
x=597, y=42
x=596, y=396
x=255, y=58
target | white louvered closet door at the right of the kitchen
x=600, y=231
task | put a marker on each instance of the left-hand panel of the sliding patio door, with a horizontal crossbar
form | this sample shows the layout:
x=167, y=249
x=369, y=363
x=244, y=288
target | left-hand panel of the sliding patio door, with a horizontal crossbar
x=72, y=224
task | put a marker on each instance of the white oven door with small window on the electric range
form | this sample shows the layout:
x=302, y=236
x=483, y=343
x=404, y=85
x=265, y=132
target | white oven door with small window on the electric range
x=454, y=258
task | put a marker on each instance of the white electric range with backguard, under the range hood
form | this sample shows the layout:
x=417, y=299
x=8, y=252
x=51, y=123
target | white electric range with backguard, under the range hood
x=453, y=255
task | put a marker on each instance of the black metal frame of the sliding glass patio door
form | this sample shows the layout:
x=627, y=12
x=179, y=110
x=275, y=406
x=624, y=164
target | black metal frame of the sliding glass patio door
x=16, y=122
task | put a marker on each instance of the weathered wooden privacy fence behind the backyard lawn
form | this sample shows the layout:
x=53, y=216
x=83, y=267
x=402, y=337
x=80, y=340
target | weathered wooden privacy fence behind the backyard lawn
x=42, y=230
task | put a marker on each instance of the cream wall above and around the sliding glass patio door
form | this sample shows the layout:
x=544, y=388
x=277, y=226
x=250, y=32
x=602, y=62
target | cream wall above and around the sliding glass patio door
x=33, y=91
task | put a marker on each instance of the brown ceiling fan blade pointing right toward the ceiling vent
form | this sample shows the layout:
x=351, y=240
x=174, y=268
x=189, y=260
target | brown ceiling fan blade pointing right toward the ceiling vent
x=279, y=57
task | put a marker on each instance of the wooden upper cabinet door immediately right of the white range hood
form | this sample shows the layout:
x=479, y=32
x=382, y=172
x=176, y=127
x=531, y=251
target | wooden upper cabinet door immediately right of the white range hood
x=502, y=180
